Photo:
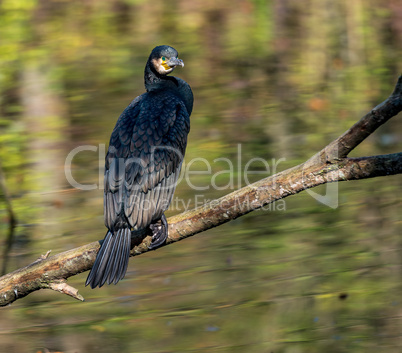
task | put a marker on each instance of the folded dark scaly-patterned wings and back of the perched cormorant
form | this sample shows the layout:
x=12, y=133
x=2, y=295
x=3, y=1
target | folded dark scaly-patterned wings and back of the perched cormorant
x=144, y=160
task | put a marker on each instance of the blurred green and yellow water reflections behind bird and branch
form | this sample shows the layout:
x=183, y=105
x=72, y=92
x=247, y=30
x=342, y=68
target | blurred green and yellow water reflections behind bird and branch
x=274, y=80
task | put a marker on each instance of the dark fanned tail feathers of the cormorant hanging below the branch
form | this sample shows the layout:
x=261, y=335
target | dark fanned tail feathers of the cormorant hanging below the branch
x=112, y=259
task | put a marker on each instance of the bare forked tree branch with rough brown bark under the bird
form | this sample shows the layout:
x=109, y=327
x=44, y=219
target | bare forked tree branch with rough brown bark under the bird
x=331, y=164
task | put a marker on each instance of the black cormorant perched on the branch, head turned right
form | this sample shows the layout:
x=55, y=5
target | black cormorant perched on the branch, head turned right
x=142, y=165
